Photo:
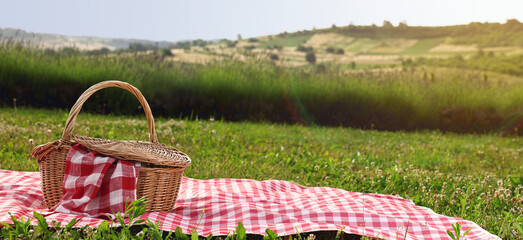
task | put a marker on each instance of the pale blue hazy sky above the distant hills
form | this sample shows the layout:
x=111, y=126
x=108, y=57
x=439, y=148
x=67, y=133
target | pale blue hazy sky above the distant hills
x=213, y=19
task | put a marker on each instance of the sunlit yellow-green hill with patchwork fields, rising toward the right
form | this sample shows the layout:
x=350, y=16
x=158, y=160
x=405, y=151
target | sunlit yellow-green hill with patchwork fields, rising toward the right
x=368, y=46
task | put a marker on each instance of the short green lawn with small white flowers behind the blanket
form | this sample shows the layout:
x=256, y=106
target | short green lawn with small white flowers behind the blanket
x=475, y=177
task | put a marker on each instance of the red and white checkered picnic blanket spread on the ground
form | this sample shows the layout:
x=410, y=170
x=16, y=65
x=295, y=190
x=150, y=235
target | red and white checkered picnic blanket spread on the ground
x=217, y=205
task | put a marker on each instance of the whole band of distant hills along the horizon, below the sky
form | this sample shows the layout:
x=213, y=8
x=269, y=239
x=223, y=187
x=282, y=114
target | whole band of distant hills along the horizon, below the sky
x=350, y=47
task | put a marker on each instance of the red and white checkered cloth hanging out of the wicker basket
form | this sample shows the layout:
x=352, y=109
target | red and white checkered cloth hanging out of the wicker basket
x=97, y=185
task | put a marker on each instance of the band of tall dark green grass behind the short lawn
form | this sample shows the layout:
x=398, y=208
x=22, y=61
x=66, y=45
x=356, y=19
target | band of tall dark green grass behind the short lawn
x=412, y=97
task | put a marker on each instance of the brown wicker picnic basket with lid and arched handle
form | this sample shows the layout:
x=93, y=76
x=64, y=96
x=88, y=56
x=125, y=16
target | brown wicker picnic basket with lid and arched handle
x=162, y=166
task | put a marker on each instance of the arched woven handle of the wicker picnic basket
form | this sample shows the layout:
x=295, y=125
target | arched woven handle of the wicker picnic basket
x=69, y=125
